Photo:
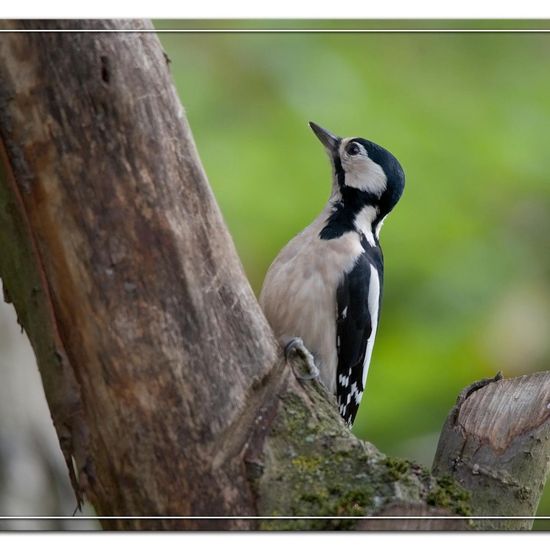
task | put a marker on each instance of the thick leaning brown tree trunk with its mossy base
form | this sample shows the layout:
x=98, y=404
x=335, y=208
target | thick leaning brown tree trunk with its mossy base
x=167, y=390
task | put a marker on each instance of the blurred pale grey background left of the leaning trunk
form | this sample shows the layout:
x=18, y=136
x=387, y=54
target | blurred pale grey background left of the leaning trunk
x=33, y=475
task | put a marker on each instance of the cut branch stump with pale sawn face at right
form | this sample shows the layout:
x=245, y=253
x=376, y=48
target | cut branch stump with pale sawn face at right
x=496, y=443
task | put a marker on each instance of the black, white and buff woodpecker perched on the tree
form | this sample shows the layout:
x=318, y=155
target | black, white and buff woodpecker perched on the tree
x=322, y=293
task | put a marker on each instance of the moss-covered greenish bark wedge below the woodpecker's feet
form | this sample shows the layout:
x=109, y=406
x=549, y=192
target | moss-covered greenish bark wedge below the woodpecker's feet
x=303, y=461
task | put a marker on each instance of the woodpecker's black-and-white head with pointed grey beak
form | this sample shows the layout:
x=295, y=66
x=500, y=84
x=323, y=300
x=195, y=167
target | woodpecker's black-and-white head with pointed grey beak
x=364, y=172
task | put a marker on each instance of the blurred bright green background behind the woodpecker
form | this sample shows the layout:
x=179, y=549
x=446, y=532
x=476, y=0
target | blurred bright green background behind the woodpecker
x=467, y=249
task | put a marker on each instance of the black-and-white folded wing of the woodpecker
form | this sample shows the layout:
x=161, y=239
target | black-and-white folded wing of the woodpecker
x=358, y=299
